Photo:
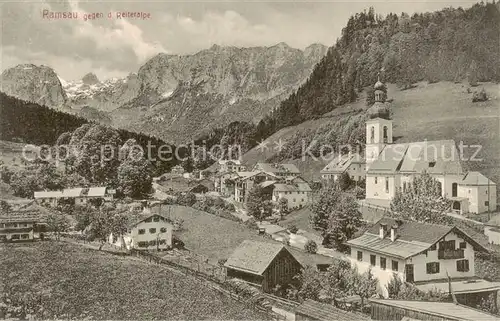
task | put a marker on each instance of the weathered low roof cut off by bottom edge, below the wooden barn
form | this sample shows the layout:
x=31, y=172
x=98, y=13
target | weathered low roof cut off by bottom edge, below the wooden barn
x=311, y=310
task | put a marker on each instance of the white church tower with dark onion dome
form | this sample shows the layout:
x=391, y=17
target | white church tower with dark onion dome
x=379, y=126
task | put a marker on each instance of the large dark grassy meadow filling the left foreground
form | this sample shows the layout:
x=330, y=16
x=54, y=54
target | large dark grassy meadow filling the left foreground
x=87, y=283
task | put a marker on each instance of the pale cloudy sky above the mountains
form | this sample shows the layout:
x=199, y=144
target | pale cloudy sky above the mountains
x=115, y=47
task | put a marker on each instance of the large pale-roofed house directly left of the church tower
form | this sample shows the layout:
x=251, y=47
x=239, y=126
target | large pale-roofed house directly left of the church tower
x=352, y=164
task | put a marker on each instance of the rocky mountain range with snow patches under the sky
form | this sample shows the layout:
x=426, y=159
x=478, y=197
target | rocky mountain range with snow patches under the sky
x=175, y=97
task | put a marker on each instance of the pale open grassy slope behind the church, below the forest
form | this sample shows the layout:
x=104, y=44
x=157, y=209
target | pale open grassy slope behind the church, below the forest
x=430, y=111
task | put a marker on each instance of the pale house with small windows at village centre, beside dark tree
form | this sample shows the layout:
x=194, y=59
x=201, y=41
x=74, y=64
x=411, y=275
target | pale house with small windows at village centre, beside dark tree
x=295, y=190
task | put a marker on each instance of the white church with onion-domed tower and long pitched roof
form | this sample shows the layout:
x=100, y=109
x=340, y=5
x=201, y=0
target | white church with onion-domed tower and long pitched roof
x=392, y=166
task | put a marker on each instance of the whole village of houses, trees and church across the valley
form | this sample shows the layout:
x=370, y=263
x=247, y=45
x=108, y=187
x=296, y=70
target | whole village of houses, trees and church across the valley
x=259, y=227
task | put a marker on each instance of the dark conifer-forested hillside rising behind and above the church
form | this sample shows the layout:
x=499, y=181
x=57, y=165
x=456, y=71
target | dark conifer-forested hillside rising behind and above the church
x=452, y=44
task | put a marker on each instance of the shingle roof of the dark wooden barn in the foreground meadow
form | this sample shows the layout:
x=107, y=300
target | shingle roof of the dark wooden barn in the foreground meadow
x=253, y=256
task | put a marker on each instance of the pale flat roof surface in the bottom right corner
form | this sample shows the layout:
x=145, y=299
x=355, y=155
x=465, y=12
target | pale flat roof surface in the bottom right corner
x=446, y=310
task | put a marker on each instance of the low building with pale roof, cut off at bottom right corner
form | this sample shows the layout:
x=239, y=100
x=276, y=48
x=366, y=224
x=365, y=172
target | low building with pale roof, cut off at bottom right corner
x=424, y=310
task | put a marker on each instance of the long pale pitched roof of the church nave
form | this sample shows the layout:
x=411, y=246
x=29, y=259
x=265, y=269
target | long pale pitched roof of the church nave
x=434, y=157
